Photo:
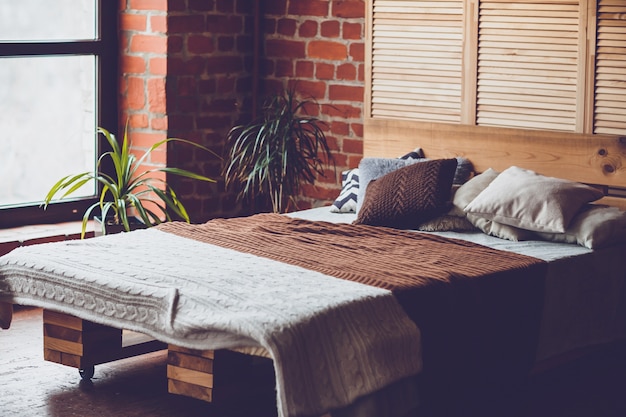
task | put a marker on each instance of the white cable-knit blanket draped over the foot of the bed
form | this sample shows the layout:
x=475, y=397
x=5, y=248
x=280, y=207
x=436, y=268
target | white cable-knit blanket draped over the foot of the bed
x=331, y=340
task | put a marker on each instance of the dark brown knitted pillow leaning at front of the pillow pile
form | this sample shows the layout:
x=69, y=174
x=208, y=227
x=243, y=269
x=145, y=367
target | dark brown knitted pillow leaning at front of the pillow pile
x=408, y=196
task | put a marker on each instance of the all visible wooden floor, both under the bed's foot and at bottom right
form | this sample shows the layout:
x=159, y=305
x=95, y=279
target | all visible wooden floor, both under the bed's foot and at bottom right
x=31, y=387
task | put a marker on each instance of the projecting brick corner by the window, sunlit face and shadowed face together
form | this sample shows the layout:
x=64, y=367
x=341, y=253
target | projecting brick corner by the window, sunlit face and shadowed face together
x=186, y=72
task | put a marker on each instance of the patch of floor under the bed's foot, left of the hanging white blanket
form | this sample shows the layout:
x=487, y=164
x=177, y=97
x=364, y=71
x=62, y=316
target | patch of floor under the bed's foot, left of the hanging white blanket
x=32, y=387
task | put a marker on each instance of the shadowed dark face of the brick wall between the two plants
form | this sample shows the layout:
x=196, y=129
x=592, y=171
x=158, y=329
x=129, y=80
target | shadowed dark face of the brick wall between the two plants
x=209, y=90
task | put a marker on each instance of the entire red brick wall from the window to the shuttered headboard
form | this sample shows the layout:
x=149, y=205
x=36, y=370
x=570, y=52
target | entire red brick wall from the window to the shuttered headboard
x=187, y=71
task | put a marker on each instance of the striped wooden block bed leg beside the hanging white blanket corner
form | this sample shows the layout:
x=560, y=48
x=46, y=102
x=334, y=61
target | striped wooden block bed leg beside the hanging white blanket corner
x=190, y=372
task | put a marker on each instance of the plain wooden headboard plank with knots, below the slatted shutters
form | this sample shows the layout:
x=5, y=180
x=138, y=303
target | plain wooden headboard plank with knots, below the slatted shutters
x=591, y=159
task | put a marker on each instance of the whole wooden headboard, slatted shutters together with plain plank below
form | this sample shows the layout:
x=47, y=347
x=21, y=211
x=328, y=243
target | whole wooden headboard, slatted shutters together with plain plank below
x=483, y=80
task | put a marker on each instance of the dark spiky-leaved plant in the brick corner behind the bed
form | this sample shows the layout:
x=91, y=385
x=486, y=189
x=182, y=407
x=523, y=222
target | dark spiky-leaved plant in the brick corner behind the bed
x=273, y=155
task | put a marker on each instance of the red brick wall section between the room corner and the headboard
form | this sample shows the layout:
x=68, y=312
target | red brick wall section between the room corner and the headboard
x=319, y=45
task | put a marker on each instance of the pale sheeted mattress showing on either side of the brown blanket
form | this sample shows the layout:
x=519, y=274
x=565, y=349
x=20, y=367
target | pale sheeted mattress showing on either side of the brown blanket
x=585, y=298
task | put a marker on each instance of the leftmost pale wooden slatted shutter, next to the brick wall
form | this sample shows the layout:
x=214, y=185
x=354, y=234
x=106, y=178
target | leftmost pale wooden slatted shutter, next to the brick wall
x=417, y=59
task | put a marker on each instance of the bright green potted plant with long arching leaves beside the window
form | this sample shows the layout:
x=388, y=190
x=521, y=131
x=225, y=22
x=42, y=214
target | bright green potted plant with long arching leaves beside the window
x=129, y=194
